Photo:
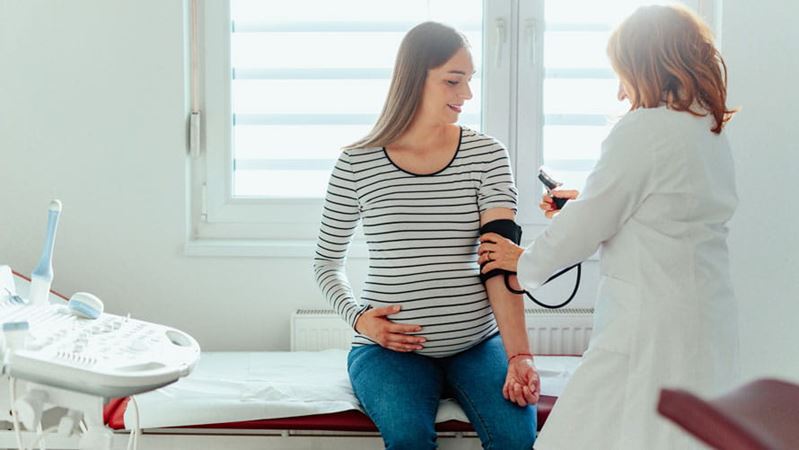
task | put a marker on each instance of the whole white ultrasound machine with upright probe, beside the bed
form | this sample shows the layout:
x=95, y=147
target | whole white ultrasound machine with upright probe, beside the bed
x=74, y=356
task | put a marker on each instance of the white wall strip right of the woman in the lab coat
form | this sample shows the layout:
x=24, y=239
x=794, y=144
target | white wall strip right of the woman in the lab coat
x=761, y=46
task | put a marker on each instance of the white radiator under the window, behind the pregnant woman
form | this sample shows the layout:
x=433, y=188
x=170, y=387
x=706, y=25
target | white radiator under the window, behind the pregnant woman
x=551, y=332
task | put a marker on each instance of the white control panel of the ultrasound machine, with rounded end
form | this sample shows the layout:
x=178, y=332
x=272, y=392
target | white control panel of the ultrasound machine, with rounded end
x=111, y=356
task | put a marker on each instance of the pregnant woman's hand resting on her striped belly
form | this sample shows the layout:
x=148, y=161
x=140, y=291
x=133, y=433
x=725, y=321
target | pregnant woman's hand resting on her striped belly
x=393, y=336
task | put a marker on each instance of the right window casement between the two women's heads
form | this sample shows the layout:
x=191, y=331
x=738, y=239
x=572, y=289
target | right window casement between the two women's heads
x=567, y=90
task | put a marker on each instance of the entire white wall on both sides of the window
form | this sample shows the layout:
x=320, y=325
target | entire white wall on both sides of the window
x=93, y=108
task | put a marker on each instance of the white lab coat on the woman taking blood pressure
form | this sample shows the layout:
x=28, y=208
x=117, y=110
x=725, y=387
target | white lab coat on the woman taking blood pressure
x=656, y=206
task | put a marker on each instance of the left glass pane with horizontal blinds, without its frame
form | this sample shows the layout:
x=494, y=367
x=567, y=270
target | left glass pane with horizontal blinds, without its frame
x=313, y=77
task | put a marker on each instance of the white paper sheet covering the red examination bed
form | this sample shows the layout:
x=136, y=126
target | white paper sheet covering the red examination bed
x=242, y=386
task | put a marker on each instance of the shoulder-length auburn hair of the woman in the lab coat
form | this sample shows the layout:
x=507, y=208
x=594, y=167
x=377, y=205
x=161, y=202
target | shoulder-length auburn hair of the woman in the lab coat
x=665, y=54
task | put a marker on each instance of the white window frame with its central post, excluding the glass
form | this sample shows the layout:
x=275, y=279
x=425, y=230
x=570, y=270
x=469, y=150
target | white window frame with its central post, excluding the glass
x=221, y=225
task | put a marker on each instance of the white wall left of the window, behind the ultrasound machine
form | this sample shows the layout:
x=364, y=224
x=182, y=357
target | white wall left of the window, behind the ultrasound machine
x=92, y=111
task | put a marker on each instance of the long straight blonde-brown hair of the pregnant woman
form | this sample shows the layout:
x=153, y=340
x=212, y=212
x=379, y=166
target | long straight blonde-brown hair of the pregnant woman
x=426, y=46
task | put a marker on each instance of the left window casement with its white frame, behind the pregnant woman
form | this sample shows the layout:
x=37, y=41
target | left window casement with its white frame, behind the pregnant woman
x=287, y=84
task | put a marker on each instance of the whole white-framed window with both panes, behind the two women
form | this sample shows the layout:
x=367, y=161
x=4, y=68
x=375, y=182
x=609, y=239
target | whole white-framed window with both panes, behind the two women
x=286, y=84
